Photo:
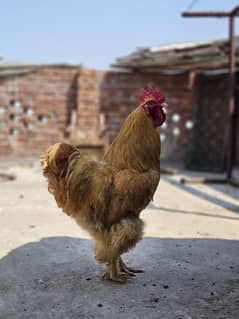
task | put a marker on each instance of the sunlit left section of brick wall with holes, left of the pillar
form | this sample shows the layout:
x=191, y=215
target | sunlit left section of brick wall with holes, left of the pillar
x=35, y=109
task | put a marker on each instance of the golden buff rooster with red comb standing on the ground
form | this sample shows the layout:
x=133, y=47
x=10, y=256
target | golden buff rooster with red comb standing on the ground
x=106, y=197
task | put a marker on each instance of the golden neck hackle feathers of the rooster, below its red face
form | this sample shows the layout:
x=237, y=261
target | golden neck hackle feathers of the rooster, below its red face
x=137, y=145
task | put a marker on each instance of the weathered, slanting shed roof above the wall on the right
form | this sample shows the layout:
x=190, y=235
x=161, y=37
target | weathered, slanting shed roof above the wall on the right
x=182, y=56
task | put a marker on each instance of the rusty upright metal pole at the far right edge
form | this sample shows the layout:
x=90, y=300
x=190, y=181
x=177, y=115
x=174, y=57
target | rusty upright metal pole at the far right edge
x=232, y=63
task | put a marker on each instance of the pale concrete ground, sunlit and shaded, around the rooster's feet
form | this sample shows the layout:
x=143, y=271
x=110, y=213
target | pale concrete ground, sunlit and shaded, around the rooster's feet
x=190, y=254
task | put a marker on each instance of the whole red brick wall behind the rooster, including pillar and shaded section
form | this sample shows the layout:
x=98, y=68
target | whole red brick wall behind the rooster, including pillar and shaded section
x=49, y=104
